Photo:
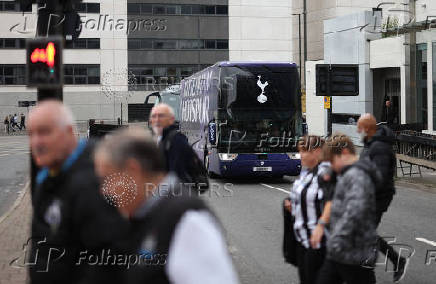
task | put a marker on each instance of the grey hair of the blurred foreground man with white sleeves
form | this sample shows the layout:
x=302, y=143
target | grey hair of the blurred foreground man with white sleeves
x=133, y=143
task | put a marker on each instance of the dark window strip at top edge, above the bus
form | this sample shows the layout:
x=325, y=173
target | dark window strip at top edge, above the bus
x=163, y=9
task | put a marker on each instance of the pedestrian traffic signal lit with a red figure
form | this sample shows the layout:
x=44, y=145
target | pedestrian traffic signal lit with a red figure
x=44, y=62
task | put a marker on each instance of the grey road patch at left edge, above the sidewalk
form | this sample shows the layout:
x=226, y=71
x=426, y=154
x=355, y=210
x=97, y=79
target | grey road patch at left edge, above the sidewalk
x=14, y=169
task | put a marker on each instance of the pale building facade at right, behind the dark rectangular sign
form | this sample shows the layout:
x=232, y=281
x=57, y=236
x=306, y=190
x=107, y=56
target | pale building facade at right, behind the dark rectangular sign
x=394, y=48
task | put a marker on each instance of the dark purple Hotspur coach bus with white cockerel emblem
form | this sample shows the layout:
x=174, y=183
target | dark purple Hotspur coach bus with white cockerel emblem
x=244, y=118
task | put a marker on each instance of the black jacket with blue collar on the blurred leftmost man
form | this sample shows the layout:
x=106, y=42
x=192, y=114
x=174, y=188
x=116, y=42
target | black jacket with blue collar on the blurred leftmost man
x=71, y=219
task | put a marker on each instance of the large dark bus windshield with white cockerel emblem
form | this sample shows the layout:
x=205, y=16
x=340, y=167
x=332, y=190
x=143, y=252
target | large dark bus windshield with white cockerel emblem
x=260, y=109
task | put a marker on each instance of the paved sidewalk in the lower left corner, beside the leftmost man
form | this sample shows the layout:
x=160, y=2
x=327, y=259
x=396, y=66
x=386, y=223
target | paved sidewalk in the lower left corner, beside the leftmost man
x=14, y=233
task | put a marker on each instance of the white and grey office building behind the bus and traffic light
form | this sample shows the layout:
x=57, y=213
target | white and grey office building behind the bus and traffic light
x=130, y=48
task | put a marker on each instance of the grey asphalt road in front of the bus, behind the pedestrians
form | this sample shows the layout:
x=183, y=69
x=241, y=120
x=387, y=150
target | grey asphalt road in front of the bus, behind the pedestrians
x=252, y=218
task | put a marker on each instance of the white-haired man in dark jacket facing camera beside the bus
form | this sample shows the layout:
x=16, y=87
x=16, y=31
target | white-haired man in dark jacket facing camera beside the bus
x=174, y=145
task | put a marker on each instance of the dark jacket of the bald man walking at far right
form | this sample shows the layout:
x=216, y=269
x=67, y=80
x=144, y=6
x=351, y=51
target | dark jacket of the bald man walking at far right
x=379, y=149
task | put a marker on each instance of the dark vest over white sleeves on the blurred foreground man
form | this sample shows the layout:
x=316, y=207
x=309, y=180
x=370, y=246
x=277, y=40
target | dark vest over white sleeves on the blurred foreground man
x=152, y=231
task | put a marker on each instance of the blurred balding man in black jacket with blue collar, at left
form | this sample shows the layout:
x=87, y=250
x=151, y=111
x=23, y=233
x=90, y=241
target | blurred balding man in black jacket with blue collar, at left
x=70, y=216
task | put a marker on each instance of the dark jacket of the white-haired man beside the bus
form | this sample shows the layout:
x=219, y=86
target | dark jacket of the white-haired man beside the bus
x=177, y=152
